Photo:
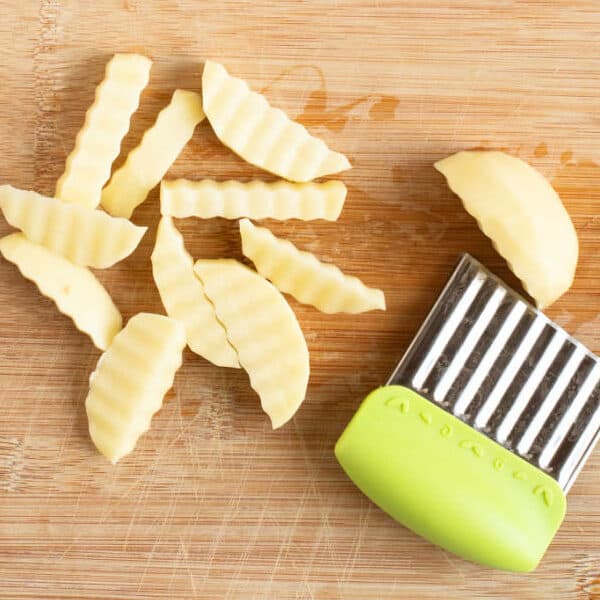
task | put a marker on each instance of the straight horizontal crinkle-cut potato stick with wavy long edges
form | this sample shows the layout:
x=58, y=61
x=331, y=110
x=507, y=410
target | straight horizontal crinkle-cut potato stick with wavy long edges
x=255, y=199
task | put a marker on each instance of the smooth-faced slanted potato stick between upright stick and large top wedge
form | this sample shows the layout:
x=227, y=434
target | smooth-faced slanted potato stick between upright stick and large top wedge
x=146, y=164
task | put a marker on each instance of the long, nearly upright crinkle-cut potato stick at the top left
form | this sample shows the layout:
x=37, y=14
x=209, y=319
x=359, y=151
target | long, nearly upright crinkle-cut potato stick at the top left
x=106, y=123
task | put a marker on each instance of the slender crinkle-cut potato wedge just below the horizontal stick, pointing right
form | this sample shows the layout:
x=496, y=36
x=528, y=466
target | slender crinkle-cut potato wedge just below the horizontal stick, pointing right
x=303, y=276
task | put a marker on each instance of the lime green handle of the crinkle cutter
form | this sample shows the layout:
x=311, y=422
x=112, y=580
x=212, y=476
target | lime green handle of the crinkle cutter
x=449, y=483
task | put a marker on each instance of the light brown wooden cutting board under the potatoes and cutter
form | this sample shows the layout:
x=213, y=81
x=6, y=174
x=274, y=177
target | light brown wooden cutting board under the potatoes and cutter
x=212, y=503
